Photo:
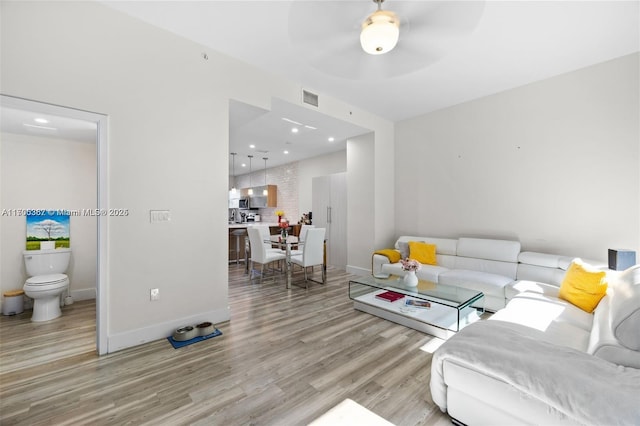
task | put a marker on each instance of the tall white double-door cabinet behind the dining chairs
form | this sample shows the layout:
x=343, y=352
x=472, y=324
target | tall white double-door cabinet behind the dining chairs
x=329, y=207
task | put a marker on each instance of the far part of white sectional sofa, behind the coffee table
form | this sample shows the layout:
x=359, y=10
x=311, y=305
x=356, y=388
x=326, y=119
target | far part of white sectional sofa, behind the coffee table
x=495, y=267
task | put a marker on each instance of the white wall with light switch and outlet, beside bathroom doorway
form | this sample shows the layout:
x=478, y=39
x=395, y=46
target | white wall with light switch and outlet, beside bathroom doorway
x=167, y=148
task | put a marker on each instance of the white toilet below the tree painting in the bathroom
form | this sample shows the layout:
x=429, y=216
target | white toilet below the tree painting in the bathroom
x=47, y=281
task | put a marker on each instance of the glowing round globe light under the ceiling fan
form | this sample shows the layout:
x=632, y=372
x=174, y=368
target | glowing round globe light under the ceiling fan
x=380, y=32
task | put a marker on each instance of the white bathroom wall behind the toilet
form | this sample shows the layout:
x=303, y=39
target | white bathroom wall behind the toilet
x=48, y=173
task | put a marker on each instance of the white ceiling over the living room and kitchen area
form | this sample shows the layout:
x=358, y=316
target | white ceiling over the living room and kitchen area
x=449, y=52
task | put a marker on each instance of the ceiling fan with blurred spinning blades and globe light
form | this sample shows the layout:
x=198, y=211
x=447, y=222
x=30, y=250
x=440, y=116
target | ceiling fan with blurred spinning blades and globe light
x=328, y=34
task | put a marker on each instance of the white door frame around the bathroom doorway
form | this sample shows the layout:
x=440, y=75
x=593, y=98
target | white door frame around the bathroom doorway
x=102, y=123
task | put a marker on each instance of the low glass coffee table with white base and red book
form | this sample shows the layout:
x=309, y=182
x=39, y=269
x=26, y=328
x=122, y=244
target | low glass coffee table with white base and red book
x=436, y=309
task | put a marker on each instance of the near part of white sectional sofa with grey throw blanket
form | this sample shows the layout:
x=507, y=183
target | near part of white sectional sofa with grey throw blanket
x=542, y=360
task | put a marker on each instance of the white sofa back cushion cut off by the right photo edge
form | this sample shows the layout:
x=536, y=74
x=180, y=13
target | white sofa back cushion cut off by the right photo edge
x=625, y=307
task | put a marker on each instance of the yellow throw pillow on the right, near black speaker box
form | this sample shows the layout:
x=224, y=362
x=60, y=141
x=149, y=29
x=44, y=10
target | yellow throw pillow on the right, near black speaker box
x=582, y=287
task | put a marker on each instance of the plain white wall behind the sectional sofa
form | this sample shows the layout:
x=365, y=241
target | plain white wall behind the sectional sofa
x=554, y=164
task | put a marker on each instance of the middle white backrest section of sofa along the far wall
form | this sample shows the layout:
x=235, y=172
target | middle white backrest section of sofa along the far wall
x=487, y=255
